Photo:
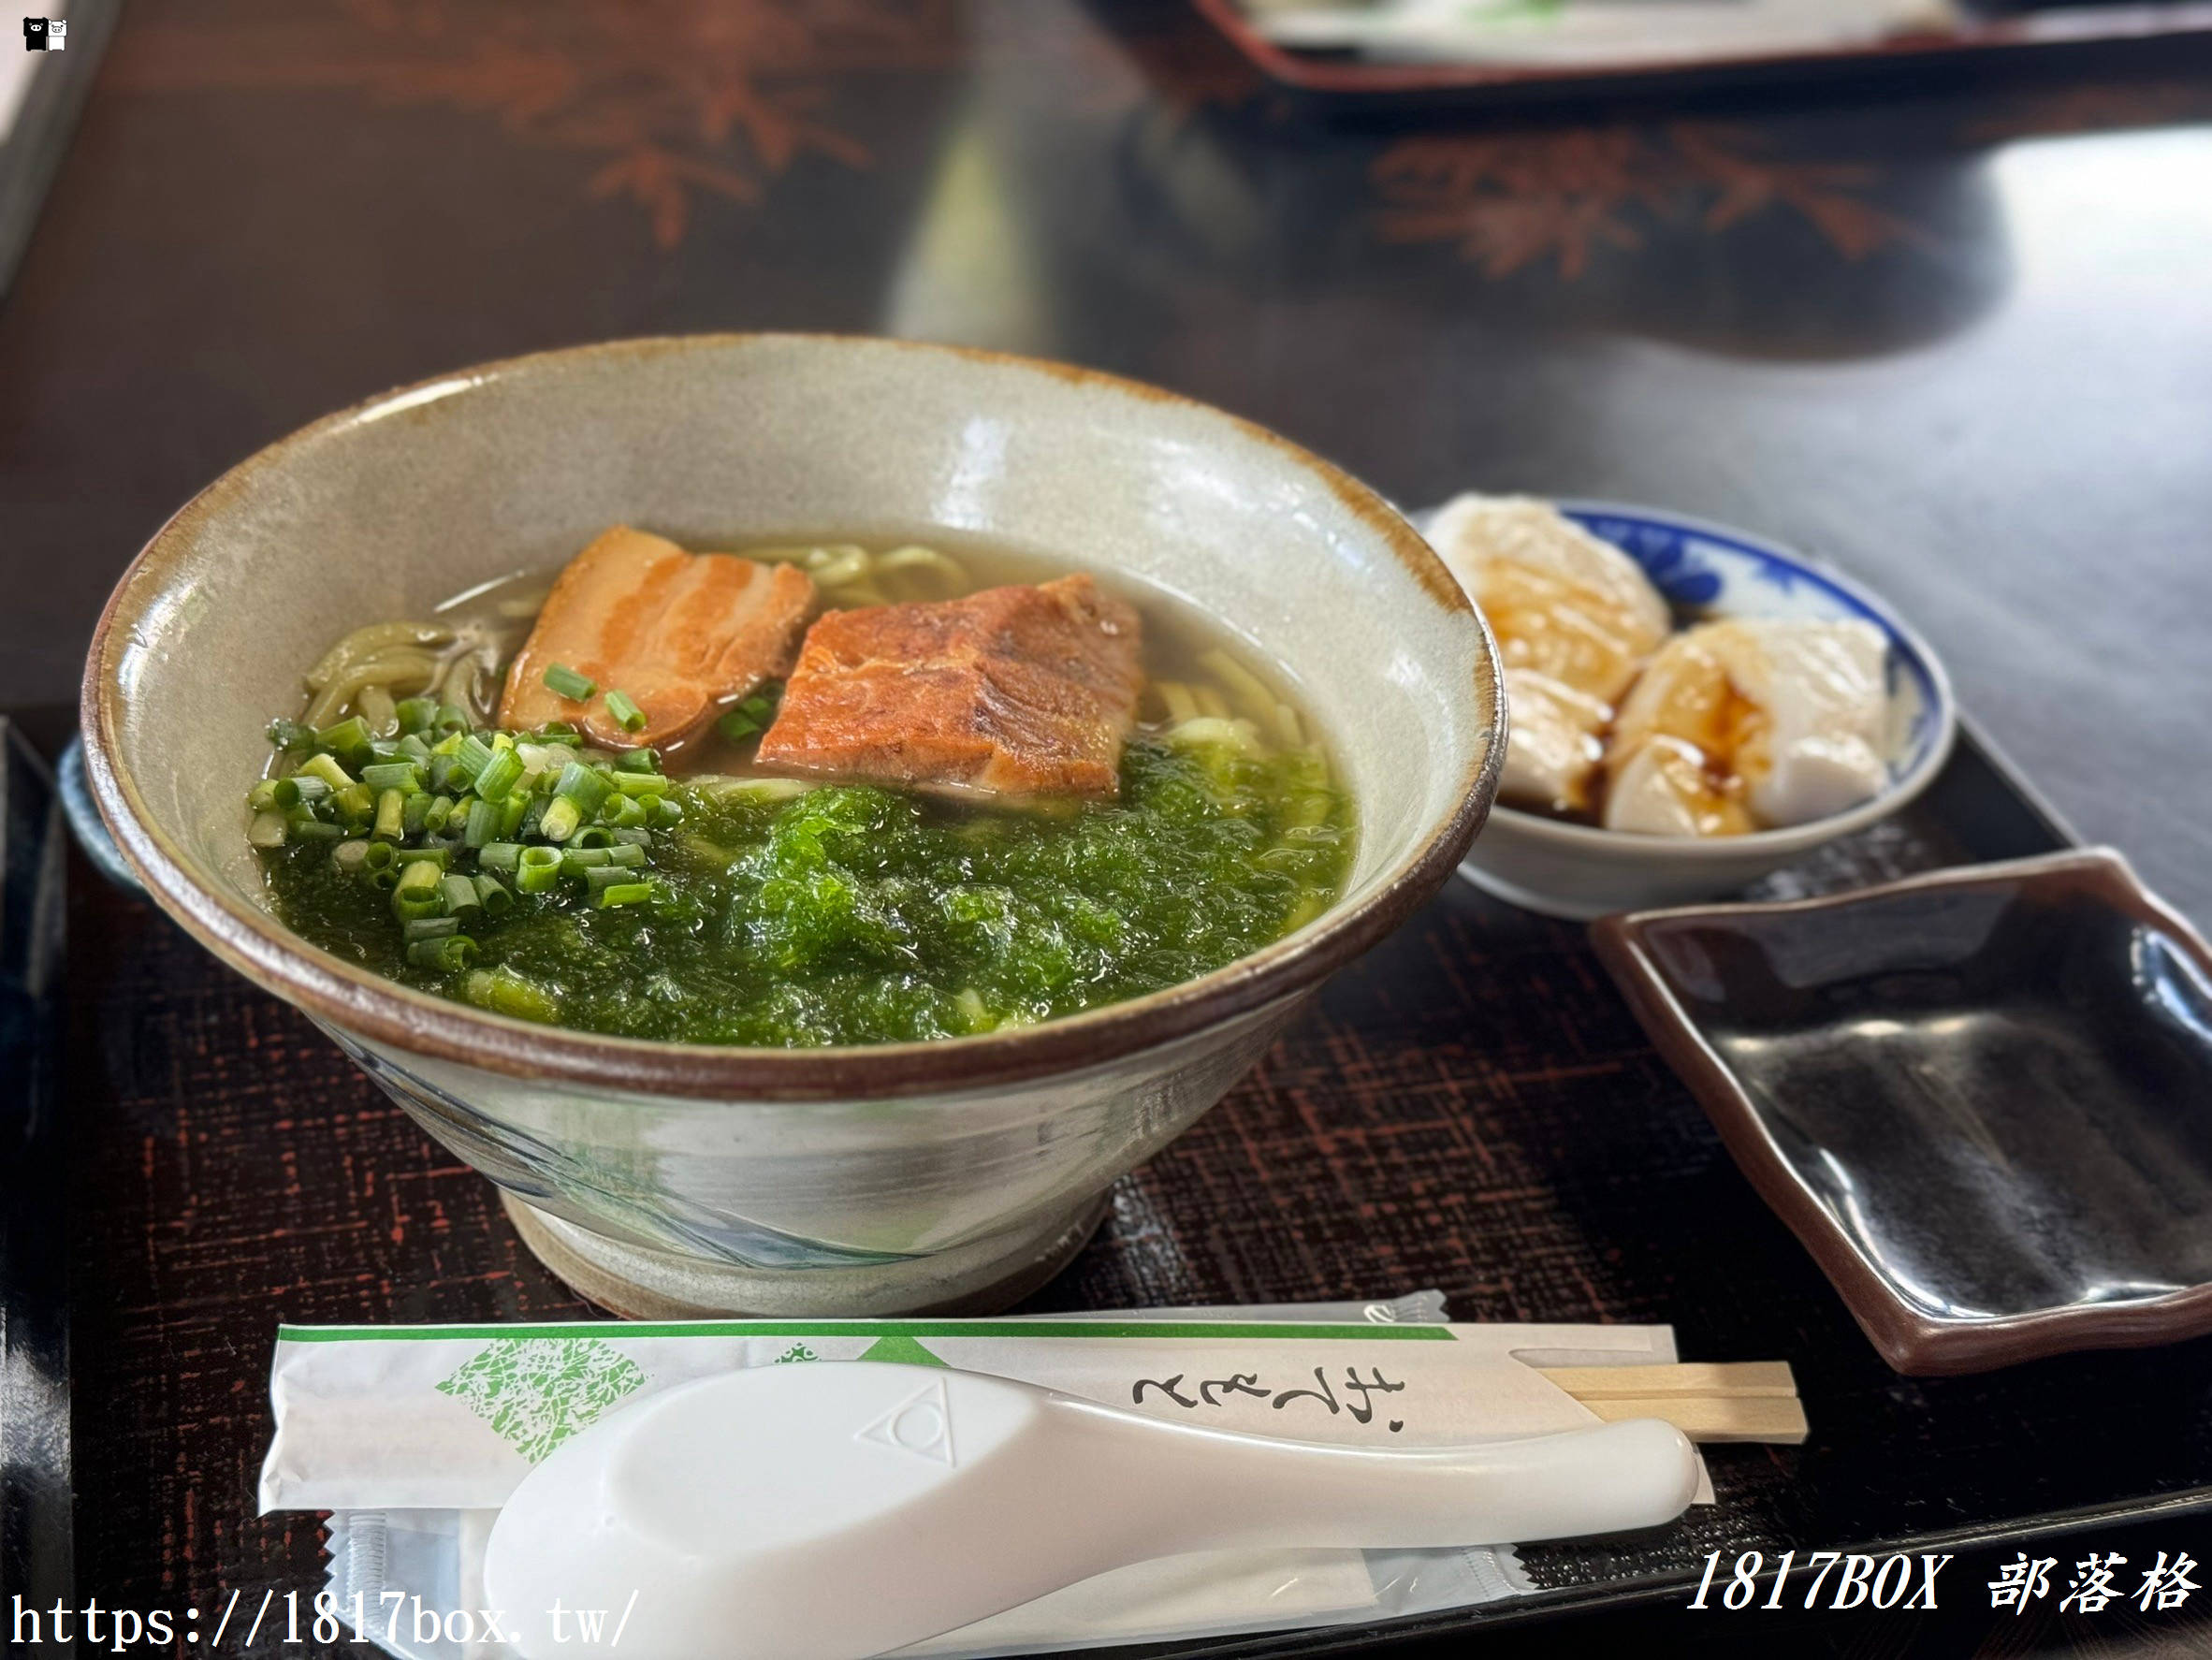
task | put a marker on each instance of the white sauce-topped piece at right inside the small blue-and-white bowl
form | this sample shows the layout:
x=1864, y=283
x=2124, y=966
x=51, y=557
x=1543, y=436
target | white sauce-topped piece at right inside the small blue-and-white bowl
x=1751, y=725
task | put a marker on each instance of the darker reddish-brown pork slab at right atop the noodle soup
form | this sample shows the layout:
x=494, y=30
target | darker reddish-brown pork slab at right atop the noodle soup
x=1016, y=692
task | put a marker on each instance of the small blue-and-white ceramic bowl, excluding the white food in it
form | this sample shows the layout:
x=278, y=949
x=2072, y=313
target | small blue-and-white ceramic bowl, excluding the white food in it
x=1580, y=871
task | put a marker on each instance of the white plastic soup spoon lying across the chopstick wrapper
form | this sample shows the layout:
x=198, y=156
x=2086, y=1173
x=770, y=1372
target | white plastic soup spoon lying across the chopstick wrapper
x=842, y=1508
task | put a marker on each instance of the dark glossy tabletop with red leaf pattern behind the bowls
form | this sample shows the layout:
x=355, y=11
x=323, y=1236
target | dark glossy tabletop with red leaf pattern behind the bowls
x=1943, y=335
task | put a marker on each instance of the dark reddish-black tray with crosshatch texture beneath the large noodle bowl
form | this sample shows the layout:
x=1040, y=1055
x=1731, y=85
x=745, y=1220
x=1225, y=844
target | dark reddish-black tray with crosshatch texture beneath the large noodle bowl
x=1470, y=1108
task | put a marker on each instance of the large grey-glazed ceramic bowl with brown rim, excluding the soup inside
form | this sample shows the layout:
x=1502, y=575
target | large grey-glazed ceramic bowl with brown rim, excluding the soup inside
x=678, y=1179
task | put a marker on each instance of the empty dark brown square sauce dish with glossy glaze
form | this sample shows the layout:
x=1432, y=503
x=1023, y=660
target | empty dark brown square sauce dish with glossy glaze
x=1983, y=1099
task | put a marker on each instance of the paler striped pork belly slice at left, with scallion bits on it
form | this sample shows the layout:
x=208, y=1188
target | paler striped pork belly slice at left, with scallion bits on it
x=682, y=634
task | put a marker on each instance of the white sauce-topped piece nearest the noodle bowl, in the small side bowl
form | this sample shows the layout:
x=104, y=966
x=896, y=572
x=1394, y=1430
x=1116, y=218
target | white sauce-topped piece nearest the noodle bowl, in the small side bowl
x=1574, y=619
